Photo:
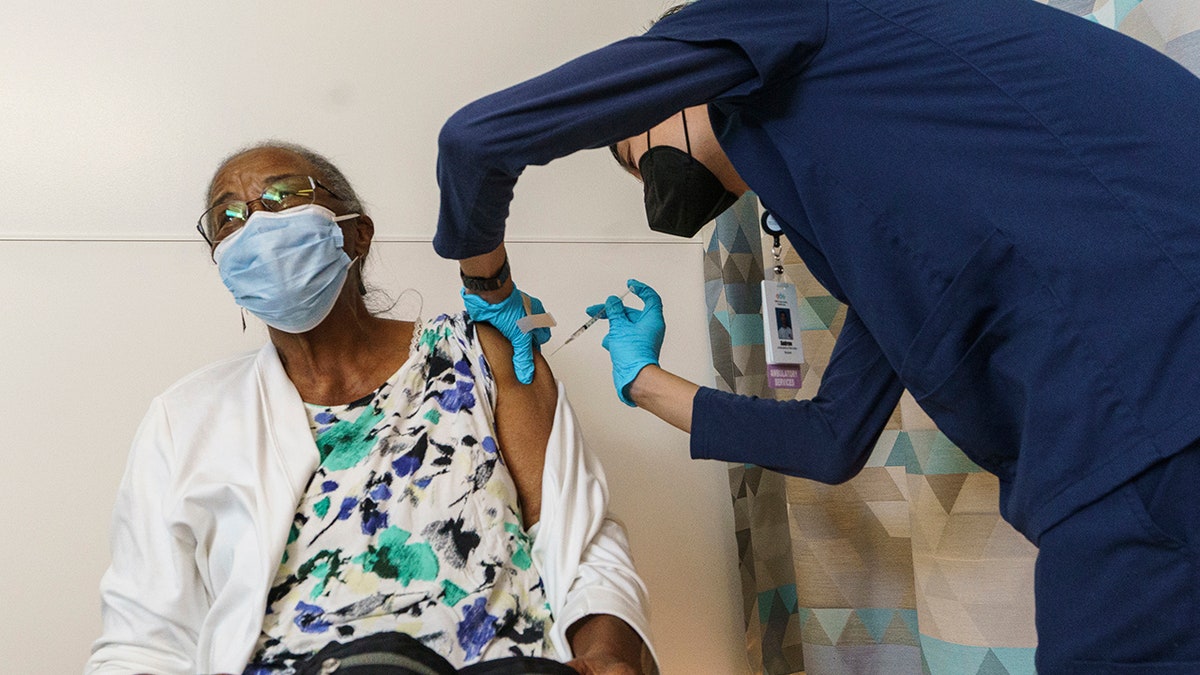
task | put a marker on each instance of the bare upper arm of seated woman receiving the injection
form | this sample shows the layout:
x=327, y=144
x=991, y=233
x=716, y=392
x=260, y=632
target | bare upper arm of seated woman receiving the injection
x=525, y=415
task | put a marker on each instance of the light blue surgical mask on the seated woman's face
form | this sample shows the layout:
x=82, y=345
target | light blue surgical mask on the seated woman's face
x=287, y=267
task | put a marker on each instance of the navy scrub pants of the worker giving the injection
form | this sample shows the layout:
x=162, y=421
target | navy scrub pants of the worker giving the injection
x=1119, y=583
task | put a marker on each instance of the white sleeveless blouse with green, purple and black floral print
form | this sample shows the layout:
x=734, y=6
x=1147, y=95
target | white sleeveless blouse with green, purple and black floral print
x=411, y=523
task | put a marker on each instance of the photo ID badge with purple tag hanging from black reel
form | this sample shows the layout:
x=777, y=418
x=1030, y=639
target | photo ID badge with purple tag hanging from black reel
x=781, y=309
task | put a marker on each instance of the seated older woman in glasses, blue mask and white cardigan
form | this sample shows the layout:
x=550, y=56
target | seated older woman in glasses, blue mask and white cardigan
x=359, y=486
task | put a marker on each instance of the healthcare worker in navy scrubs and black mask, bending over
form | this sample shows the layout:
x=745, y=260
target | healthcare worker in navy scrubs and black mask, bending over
x=1006, y=196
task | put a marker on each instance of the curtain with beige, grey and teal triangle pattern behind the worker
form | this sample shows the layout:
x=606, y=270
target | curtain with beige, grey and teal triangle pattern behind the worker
x=908, y=568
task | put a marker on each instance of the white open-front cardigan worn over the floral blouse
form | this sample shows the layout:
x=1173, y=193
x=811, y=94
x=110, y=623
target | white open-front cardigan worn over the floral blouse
x=213, y=482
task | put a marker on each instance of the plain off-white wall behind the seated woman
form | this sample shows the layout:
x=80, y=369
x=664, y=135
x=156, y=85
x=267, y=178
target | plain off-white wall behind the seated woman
x=112, y=118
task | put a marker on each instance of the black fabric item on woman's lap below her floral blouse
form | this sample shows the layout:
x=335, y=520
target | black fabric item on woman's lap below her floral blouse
x=395, y=654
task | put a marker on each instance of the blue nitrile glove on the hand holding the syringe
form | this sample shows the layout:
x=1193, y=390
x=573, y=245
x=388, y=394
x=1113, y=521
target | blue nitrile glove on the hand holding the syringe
x=635, y=337
